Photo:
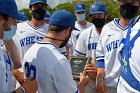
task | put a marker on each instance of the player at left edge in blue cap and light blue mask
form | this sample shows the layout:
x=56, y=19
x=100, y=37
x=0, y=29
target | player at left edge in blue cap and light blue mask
x=9, y=59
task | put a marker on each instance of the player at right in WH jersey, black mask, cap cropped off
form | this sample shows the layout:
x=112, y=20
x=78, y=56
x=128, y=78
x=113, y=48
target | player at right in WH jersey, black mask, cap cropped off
x=108, y=66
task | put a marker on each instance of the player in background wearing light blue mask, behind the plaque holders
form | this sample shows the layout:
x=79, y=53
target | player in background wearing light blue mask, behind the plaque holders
x=81, y=24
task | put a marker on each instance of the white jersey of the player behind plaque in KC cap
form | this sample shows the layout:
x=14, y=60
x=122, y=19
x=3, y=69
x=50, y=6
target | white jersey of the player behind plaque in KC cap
x=87, y=42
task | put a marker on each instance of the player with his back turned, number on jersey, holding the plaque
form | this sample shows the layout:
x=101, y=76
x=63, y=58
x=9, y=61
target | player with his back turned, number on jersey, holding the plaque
x=45, y=62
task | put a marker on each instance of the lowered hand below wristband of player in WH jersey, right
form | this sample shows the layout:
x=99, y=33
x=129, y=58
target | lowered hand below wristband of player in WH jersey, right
x=101, y=87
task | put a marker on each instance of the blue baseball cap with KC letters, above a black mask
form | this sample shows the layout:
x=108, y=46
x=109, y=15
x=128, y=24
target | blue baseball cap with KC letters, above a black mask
x=97, y=7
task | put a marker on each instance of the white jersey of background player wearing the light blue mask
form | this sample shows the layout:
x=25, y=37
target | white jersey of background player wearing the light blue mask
x=75, y=35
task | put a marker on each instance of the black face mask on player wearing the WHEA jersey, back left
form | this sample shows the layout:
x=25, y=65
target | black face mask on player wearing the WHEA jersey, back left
x=39, y=14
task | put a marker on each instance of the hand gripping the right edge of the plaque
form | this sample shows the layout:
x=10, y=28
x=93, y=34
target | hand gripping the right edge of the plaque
x=91, y=70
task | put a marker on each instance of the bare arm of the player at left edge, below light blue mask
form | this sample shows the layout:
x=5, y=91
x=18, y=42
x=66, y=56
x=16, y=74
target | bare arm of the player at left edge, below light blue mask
x=13, y=52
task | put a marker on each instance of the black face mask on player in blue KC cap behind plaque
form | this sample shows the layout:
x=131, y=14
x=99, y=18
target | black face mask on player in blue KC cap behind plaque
x=98, y=22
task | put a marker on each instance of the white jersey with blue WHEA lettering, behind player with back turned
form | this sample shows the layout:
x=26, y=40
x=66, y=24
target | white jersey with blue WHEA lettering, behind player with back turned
x=27, y=35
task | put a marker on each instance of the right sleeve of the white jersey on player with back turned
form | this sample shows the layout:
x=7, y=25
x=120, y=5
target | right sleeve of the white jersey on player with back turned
x=63, y=78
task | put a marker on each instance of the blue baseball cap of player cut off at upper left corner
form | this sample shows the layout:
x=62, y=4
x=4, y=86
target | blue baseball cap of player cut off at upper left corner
x=9, y=8
